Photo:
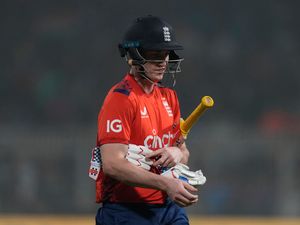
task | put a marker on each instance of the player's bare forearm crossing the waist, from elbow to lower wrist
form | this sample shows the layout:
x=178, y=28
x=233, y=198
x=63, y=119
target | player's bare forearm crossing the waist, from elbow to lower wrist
x=125, y=172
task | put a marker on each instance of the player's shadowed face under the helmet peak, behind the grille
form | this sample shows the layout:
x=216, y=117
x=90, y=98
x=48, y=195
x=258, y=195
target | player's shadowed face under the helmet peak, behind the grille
x=157, y=64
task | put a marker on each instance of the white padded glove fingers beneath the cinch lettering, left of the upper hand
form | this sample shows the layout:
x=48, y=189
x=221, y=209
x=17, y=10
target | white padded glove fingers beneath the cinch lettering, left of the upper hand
x=136, y=155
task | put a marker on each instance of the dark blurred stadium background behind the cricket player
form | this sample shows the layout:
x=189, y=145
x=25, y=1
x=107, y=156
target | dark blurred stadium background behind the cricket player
x=60, y=57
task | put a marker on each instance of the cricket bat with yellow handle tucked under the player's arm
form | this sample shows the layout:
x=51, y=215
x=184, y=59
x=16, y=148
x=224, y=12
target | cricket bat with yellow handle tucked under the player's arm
x=186, y=125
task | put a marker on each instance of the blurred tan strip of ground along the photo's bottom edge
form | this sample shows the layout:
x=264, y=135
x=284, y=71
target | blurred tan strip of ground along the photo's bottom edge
x=89, y=220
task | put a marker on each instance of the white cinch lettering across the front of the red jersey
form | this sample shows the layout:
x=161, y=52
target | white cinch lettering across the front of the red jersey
x=156, y=142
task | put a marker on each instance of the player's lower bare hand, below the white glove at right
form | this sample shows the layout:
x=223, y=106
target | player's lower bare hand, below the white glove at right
x=181, y=192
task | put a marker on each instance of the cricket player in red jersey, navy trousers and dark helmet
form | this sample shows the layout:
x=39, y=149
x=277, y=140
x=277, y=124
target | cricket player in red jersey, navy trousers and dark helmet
x=140, y=110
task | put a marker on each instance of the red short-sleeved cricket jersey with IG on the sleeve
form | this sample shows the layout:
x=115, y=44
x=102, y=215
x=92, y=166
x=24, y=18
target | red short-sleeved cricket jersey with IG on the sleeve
x=130, y=116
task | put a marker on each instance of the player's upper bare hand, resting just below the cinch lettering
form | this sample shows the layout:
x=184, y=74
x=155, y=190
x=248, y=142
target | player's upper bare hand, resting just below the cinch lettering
x=166, y=157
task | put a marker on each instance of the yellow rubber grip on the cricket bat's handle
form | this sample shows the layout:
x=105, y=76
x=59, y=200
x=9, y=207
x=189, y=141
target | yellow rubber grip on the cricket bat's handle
x=206, y=102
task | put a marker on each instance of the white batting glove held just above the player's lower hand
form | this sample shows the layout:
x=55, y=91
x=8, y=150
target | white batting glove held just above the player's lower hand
x=182, y=172
